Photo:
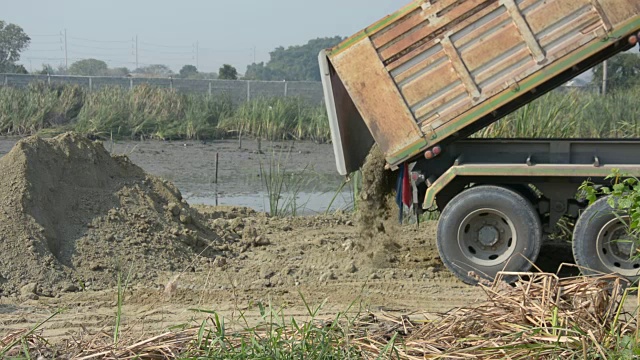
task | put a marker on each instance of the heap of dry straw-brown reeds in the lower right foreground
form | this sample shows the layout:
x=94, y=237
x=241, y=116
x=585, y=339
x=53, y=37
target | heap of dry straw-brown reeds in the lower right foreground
x=542, y=316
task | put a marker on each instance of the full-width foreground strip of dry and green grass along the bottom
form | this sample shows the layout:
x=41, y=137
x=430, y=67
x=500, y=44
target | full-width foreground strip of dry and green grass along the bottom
x=541, y=316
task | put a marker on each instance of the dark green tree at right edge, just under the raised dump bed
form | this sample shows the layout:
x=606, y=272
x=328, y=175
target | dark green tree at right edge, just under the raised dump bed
x=623, y=72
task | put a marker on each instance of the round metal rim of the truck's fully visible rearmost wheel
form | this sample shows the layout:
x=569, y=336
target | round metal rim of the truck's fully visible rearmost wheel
x=487, y=237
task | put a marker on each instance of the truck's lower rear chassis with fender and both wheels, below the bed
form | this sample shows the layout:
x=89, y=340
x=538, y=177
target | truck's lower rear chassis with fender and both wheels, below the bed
x=499, y=197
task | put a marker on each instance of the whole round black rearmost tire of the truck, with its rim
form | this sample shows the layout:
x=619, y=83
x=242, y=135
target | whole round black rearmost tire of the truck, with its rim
x=488, y=229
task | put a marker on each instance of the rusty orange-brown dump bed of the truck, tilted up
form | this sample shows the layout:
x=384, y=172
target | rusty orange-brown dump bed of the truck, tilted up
x=438, y=70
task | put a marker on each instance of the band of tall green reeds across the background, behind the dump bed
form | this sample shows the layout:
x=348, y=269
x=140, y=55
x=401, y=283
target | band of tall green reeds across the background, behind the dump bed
x=153, y=113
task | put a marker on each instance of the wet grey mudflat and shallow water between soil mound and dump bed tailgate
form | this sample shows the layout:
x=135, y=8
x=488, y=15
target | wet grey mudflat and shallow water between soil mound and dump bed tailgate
x=191, y=166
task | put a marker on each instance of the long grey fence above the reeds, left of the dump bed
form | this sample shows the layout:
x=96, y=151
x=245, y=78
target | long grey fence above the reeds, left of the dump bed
x=237, y=90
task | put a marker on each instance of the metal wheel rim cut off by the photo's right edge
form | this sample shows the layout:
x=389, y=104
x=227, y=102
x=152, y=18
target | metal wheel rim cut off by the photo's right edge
x=616, y=250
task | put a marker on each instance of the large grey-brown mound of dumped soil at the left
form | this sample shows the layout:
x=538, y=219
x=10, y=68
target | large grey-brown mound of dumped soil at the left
x=73, y=216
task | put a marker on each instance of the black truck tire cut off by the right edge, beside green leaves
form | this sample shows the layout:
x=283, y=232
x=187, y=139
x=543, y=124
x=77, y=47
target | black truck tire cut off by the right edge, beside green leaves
x=600, y=244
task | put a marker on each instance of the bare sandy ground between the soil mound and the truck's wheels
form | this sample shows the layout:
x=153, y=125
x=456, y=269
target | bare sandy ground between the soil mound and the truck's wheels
x=307, y=259
